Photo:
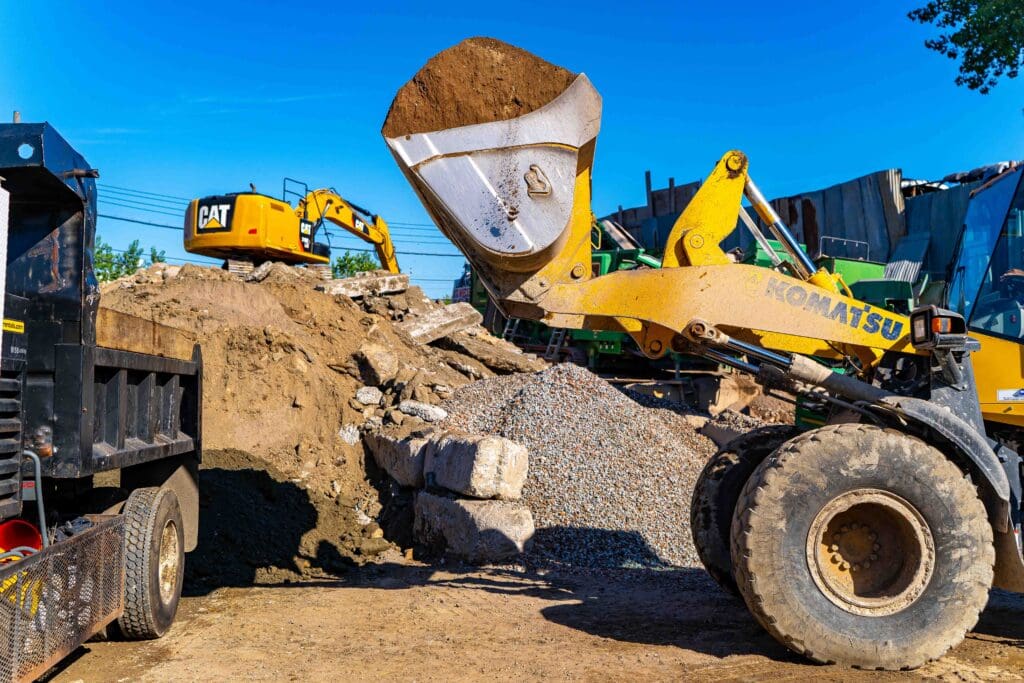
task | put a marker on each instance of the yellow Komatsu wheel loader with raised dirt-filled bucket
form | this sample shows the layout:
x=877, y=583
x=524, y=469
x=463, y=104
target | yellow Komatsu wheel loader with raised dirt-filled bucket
x=872, y=541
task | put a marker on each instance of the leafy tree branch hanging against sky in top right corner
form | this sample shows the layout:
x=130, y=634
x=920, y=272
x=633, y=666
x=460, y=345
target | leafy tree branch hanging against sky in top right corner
x=988, y=36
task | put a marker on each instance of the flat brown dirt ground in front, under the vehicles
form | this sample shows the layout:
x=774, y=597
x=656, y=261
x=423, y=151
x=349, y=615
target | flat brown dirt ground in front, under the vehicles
x=418, y=623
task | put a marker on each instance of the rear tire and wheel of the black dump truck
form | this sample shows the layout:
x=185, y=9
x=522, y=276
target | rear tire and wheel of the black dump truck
x=154, y=563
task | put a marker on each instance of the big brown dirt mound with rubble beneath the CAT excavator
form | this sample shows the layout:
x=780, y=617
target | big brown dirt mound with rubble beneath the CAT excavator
x=287, y=486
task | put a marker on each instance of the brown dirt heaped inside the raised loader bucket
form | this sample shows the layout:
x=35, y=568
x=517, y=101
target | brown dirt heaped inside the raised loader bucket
x=478, y=81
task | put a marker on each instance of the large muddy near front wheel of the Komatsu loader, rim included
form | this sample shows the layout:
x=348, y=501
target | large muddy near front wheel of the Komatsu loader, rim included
x=863, y=546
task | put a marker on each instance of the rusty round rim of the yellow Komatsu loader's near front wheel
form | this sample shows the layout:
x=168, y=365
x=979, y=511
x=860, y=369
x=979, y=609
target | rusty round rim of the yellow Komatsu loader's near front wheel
x=871, y=552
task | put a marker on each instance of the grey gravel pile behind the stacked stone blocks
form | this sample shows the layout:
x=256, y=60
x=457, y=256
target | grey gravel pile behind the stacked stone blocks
x=610, y=480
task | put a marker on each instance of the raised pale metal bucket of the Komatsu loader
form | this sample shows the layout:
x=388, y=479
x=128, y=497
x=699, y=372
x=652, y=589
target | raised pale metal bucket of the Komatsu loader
x=504, y=192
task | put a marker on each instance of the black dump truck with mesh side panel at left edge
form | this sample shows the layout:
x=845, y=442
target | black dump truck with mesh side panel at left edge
x=100, y=428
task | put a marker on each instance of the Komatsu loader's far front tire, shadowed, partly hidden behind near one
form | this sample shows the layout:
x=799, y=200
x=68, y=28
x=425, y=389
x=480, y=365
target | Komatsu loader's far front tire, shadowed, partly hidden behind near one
x=716, y=494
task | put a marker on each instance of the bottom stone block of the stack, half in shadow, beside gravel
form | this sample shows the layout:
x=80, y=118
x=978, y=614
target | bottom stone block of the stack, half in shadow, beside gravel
x=479, y=532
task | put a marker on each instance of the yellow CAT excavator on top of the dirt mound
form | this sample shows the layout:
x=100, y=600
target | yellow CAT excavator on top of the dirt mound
x=249, y=229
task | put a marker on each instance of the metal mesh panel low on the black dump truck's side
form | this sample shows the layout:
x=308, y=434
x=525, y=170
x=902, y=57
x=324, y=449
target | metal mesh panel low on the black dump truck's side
x=54, y=602
